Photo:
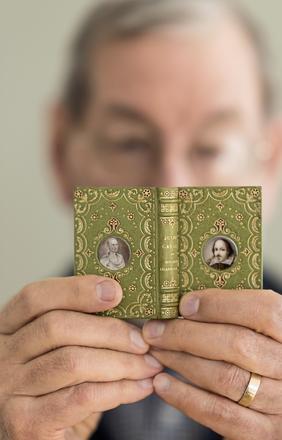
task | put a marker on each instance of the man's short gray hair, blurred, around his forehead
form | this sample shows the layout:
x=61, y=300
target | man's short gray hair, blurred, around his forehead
x=122, y=19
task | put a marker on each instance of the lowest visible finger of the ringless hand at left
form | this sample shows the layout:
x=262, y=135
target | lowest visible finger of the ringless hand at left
x=55, y=412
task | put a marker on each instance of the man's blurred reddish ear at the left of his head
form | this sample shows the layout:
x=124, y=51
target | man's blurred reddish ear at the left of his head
x=59, y=129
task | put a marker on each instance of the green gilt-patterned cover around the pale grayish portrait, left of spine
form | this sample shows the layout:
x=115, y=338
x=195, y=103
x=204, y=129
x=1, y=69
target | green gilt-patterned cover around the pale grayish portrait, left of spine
x=139, y=233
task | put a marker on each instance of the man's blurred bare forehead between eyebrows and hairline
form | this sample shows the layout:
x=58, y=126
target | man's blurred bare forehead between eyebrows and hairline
x=176, y=75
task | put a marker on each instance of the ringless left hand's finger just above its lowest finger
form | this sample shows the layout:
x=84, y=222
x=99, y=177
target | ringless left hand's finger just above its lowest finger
x=68, y=366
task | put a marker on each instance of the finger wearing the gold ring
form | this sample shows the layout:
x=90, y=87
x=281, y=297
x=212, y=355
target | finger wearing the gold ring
x=223, y=379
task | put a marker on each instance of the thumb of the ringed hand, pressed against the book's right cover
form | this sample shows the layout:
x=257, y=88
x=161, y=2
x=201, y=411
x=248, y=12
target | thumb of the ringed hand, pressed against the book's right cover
x=260, y=310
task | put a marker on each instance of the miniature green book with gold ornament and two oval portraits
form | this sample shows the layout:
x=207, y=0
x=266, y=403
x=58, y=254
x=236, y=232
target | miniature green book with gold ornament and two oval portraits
x=160, y=243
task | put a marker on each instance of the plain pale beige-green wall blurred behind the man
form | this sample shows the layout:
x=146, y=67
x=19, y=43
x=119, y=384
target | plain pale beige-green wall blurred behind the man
x=36, y=230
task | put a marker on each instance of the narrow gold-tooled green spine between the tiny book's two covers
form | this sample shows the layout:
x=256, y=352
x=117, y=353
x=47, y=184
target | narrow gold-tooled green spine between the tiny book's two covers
x=168, y=252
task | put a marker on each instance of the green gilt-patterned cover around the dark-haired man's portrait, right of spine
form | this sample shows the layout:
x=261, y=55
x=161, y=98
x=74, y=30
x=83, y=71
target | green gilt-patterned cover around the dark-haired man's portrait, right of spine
x=240, y=221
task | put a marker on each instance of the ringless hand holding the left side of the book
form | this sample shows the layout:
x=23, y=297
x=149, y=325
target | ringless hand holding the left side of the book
x=60, y=366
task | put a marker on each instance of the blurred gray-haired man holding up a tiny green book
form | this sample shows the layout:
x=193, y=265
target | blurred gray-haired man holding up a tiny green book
x=164, y=93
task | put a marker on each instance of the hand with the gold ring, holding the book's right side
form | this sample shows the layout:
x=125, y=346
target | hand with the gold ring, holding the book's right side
x=225, y=336
